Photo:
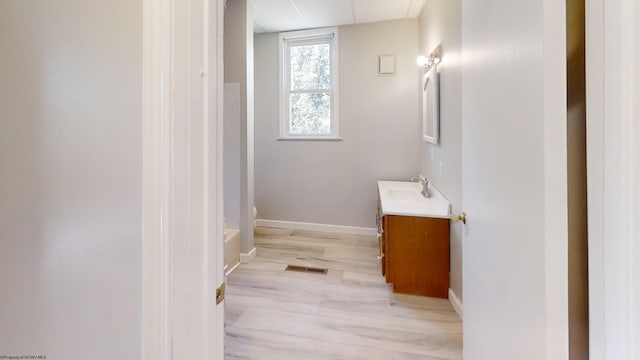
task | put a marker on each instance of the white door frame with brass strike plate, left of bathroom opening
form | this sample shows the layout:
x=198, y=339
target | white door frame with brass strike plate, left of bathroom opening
x=182, y=232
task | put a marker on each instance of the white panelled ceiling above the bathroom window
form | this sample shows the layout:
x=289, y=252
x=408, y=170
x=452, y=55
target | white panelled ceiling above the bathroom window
x=285, y=15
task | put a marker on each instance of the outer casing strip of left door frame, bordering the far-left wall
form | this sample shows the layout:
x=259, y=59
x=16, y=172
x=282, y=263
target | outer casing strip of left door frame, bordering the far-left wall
x=156, y=120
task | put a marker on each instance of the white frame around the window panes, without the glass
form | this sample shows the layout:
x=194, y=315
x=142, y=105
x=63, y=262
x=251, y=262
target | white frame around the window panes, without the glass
x=307, y=37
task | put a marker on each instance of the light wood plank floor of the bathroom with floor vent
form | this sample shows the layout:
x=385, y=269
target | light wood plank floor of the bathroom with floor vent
x=350, y=313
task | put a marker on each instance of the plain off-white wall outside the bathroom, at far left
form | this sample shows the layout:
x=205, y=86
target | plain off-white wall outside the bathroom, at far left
x=70, y=178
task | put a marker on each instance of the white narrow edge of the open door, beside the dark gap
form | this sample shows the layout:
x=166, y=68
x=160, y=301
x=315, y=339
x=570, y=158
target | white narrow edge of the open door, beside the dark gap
x=555, y=180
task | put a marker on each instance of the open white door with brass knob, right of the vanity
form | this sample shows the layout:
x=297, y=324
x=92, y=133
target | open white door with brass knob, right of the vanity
x=514, y=180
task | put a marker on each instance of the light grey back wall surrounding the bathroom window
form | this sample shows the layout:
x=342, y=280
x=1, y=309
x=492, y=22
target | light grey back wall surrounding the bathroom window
x=334, y=182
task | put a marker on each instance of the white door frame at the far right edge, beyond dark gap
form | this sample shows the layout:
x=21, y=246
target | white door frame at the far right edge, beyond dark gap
x=613, y=176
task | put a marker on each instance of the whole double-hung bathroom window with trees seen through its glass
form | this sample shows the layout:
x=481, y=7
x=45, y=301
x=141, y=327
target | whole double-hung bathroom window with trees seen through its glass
x=309, y=84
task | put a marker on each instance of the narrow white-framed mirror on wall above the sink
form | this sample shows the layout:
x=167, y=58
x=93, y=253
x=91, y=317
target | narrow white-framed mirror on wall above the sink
x=430, y=106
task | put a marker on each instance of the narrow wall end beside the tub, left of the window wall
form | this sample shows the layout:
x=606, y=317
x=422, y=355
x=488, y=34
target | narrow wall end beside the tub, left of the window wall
x=238, y=68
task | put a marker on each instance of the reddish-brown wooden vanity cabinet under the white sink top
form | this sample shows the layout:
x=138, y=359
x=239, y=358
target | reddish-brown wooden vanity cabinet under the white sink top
x=415, y=254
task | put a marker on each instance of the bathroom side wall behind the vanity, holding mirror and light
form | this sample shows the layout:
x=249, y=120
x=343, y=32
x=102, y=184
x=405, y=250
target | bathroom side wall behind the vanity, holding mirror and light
x=441, y=23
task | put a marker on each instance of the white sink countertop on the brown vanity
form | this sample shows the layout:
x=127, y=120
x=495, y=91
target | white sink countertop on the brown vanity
x=405, y=198
